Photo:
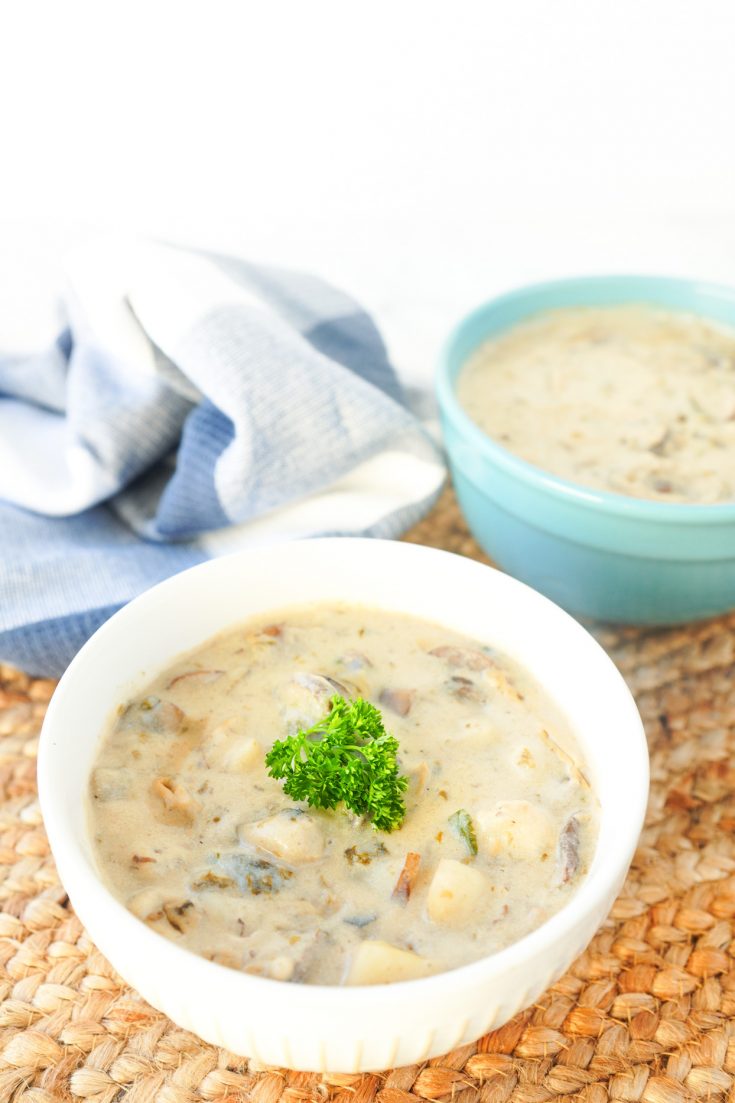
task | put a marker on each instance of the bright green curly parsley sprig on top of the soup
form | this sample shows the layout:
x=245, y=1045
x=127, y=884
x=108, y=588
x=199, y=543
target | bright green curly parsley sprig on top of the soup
x=347, y=758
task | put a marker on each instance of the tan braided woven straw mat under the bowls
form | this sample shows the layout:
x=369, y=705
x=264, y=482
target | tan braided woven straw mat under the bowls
x=645, y=1015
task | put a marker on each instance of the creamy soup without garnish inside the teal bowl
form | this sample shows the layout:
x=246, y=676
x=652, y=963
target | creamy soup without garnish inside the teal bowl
x=632, y=400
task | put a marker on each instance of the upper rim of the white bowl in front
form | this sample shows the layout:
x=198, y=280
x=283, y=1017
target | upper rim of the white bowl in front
x=89, y=886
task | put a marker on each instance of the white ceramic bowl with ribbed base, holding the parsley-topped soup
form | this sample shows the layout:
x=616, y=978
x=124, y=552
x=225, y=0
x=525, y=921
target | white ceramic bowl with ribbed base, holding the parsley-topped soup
x=335, y=1029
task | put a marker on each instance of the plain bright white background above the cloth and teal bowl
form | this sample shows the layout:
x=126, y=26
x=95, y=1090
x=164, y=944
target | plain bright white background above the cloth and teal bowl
x=422, y=156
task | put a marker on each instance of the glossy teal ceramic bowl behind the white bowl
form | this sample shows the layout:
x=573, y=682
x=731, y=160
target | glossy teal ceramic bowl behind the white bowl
x=596, y=554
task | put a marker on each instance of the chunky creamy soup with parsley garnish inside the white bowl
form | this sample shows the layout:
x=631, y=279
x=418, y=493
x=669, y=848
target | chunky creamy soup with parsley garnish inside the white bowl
x=442, y=809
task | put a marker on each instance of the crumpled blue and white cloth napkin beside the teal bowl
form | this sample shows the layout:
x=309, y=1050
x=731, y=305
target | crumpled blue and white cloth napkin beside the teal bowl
x=172, y=406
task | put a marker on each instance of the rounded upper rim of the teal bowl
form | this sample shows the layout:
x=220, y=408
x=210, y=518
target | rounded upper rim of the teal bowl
x=600, y=501
